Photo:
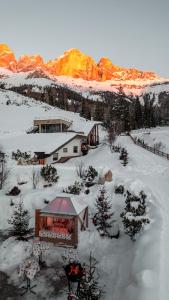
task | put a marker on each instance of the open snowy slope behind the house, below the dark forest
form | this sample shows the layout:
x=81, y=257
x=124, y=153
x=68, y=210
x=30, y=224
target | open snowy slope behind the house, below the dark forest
x=17, y=113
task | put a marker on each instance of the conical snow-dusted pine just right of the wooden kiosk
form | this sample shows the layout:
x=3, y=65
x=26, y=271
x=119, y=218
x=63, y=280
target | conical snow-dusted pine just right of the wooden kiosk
x=102, y=218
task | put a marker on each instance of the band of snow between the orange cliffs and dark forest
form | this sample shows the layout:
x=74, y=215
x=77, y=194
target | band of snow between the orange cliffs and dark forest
x=85, y=87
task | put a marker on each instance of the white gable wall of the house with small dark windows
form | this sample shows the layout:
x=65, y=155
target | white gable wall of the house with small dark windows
x=75, y=142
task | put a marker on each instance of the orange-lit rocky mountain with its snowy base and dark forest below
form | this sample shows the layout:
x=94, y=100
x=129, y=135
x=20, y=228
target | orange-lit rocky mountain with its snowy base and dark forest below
x=75, y=82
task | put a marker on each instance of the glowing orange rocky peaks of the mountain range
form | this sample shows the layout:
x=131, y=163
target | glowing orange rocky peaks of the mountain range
x=72, y=63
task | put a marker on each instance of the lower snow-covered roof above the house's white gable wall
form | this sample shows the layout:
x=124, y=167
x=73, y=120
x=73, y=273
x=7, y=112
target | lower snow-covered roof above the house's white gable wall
x=37, y=142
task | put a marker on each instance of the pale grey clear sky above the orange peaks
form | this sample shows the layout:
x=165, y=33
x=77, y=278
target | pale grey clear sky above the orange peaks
x=132, y=33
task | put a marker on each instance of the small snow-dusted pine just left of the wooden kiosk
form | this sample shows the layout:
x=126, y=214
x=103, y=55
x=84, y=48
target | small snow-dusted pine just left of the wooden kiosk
x=19, y=221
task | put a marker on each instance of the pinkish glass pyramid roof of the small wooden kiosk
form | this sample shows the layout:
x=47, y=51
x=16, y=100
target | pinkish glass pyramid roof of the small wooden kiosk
x=64, y=206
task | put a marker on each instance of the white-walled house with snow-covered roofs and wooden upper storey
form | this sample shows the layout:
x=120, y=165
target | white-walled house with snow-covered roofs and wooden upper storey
x=56, y=138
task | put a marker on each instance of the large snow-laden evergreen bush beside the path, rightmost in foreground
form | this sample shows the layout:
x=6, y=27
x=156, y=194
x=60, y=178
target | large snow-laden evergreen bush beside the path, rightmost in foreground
x=134, y=215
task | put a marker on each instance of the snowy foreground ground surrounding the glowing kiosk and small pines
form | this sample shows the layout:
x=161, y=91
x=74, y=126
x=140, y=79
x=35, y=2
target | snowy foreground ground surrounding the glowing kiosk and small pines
x=128, y=271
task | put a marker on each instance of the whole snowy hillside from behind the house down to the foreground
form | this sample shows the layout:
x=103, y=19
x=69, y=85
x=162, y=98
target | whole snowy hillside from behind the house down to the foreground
x=128, y=270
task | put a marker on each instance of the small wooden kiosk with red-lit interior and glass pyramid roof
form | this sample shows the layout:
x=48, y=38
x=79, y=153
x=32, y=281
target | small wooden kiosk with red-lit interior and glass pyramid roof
x=61, y=221
